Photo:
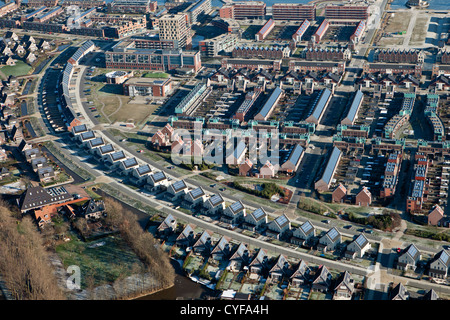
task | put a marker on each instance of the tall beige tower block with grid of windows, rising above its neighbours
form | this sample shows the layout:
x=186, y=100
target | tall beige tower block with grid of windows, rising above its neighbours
x=175, y=27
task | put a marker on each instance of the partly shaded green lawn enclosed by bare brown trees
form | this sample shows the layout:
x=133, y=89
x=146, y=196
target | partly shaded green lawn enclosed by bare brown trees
x=101, y=264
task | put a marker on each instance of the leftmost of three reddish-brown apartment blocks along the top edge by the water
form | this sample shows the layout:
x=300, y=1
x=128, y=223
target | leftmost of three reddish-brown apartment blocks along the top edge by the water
x=244, y=10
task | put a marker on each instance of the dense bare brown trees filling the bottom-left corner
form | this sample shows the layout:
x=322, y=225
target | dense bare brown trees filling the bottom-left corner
x=24, y=262
